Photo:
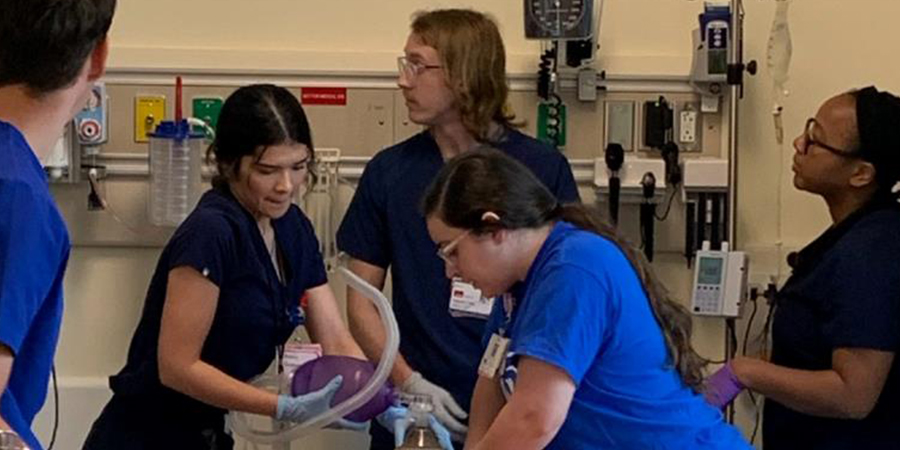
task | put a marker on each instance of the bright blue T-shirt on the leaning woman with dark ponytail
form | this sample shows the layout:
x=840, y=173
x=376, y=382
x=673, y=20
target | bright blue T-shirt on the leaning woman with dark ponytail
x=582, y=308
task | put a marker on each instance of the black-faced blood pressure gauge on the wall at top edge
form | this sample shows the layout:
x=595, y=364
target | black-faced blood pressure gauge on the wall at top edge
x=558, y=19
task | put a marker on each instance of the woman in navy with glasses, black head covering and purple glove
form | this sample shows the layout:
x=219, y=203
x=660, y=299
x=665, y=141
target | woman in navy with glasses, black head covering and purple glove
x=833, y=381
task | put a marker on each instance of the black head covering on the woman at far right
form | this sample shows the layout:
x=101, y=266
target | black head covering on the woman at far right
x=878, y=120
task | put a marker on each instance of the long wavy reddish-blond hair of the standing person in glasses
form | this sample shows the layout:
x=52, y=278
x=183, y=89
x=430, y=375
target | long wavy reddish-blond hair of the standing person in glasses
x=474, y=61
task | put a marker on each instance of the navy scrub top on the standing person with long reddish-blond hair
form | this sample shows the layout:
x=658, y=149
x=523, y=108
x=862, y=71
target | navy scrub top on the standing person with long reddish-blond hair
x=384, y=226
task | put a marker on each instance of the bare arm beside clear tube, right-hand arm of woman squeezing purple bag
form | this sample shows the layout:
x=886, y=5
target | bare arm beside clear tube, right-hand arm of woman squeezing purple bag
x=325, y=325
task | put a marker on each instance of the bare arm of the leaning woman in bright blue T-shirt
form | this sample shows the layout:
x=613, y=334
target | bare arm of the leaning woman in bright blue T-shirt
x=535, y=412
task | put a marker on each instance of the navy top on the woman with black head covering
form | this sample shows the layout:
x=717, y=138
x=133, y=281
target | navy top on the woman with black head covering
x=844, y=292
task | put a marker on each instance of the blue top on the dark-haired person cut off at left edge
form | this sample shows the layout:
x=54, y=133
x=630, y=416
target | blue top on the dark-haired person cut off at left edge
x=34, y=250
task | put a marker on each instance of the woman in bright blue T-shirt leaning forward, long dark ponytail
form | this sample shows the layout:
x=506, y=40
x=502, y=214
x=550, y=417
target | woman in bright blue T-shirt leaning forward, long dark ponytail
x=584, y=347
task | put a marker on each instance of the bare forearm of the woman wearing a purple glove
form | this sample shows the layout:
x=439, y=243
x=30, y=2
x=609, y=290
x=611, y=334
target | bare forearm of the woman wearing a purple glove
x=849, y=390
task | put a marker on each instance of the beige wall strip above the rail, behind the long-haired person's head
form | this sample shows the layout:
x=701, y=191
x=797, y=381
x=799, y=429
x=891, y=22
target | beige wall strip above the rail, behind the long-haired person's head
x=286, y=34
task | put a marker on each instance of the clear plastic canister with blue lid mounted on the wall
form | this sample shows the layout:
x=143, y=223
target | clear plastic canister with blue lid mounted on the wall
x=176, y=155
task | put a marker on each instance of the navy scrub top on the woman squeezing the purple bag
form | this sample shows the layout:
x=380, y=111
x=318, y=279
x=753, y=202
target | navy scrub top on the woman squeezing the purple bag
x=255, y=311
